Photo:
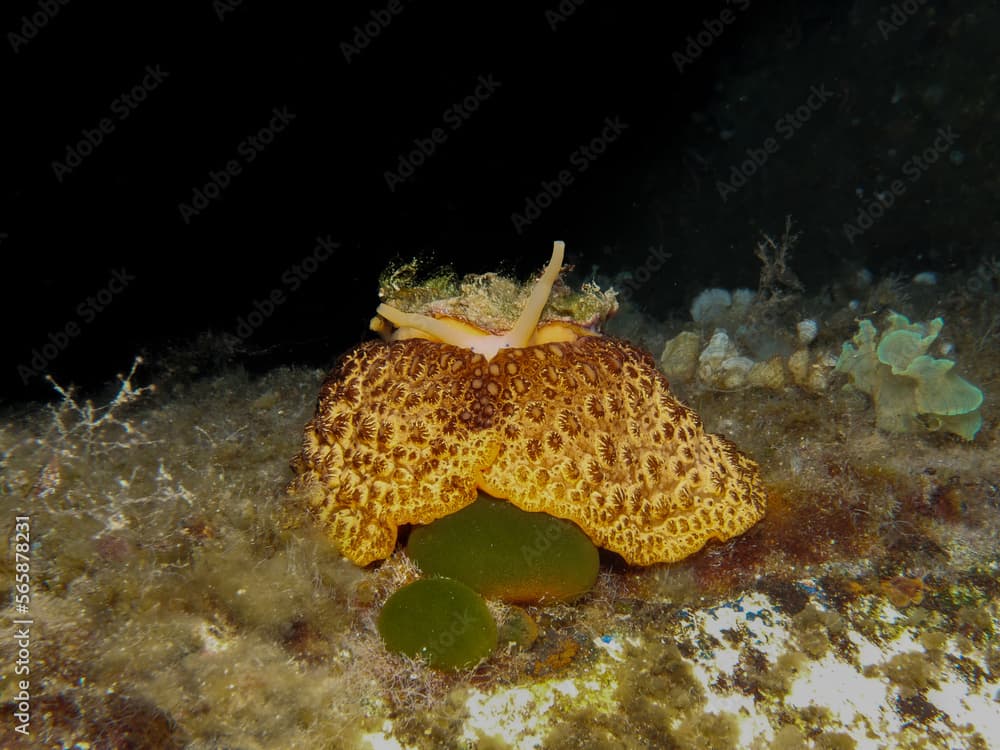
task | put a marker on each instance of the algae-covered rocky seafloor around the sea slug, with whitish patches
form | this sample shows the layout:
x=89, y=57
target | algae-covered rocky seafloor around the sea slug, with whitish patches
x=176, y=600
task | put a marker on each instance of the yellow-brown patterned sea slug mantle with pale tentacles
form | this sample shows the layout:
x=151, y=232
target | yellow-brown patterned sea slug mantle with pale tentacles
x=553, y=418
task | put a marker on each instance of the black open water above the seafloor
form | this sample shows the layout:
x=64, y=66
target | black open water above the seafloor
x=173, y=170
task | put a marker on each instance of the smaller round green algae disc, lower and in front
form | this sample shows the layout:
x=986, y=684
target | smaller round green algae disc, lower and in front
x=439, y=620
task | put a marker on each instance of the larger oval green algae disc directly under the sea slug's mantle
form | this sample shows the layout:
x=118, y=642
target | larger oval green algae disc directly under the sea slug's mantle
x=506, y=553
